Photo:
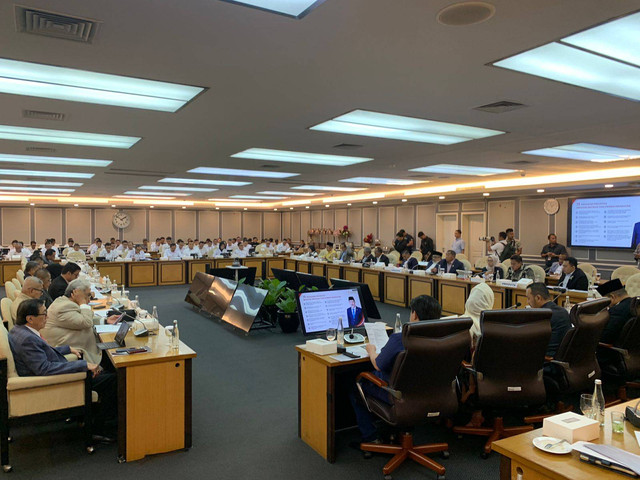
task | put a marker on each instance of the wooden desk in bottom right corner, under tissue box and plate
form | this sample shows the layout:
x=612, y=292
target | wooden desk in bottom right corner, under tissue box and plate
x=520, y=457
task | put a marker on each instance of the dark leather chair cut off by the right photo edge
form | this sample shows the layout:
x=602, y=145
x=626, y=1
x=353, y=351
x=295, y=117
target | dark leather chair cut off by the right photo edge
x=620, y=362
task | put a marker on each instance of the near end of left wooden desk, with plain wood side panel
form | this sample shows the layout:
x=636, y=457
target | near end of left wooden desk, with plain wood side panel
x=154, y=397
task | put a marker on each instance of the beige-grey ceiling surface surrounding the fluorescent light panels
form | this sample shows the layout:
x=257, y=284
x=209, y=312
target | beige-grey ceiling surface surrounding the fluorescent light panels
x=271, y=77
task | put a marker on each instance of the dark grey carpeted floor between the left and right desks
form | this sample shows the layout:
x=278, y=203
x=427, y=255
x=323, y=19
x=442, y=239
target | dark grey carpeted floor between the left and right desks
x=244, y=418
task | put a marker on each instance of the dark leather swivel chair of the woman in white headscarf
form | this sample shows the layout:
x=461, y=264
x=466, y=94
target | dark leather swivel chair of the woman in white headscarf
x=507, y=368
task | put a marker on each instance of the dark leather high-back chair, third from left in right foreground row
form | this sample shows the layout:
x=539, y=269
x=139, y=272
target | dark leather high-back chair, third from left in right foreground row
x=577, y=366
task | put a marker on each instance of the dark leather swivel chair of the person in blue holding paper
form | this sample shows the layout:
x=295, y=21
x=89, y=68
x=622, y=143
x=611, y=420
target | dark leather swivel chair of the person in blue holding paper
x=422, y=386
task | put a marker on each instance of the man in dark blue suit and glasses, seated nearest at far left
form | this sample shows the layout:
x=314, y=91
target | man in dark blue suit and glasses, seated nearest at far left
x=33, y=356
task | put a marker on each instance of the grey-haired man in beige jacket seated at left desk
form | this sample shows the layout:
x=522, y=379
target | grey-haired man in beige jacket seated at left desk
x=70, y=321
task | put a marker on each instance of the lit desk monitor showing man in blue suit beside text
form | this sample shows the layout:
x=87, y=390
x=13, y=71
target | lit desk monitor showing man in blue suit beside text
x=320, y=309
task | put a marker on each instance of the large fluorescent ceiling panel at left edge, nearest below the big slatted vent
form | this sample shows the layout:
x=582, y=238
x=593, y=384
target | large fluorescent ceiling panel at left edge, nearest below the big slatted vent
x=46, y=81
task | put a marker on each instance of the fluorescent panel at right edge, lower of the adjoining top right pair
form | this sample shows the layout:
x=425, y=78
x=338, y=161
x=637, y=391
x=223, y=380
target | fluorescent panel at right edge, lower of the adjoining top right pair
x=567, y=64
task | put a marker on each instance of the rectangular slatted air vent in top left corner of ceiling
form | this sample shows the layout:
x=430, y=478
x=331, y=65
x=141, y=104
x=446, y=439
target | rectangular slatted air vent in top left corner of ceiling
x=56, y=25
